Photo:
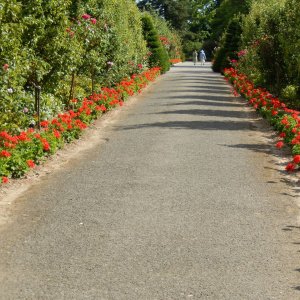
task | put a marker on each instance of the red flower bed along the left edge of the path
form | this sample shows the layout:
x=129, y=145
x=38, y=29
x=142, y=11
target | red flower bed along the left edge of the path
x=19, y=153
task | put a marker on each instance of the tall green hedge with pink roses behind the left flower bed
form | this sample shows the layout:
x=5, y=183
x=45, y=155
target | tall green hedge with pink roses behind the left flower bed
x=69, y=48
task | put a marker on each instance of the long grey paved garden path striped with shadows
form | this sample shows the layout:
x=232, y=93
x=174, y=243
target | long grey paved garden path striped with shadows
x=182, y=199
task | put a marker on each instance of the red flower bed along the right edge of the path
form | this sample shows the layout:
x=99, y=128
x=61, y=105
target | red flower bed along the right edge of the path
x=285, y=121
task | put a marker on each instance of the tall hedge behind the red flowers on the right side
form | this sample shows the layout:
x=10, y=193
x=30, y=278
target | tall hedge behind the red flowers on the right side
x=271, y=44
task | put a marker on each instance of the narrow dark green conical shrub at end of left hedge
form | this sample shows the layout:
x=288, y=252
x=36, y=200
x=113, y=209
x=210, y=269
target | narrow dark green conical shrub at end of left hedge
x=158, y=55
